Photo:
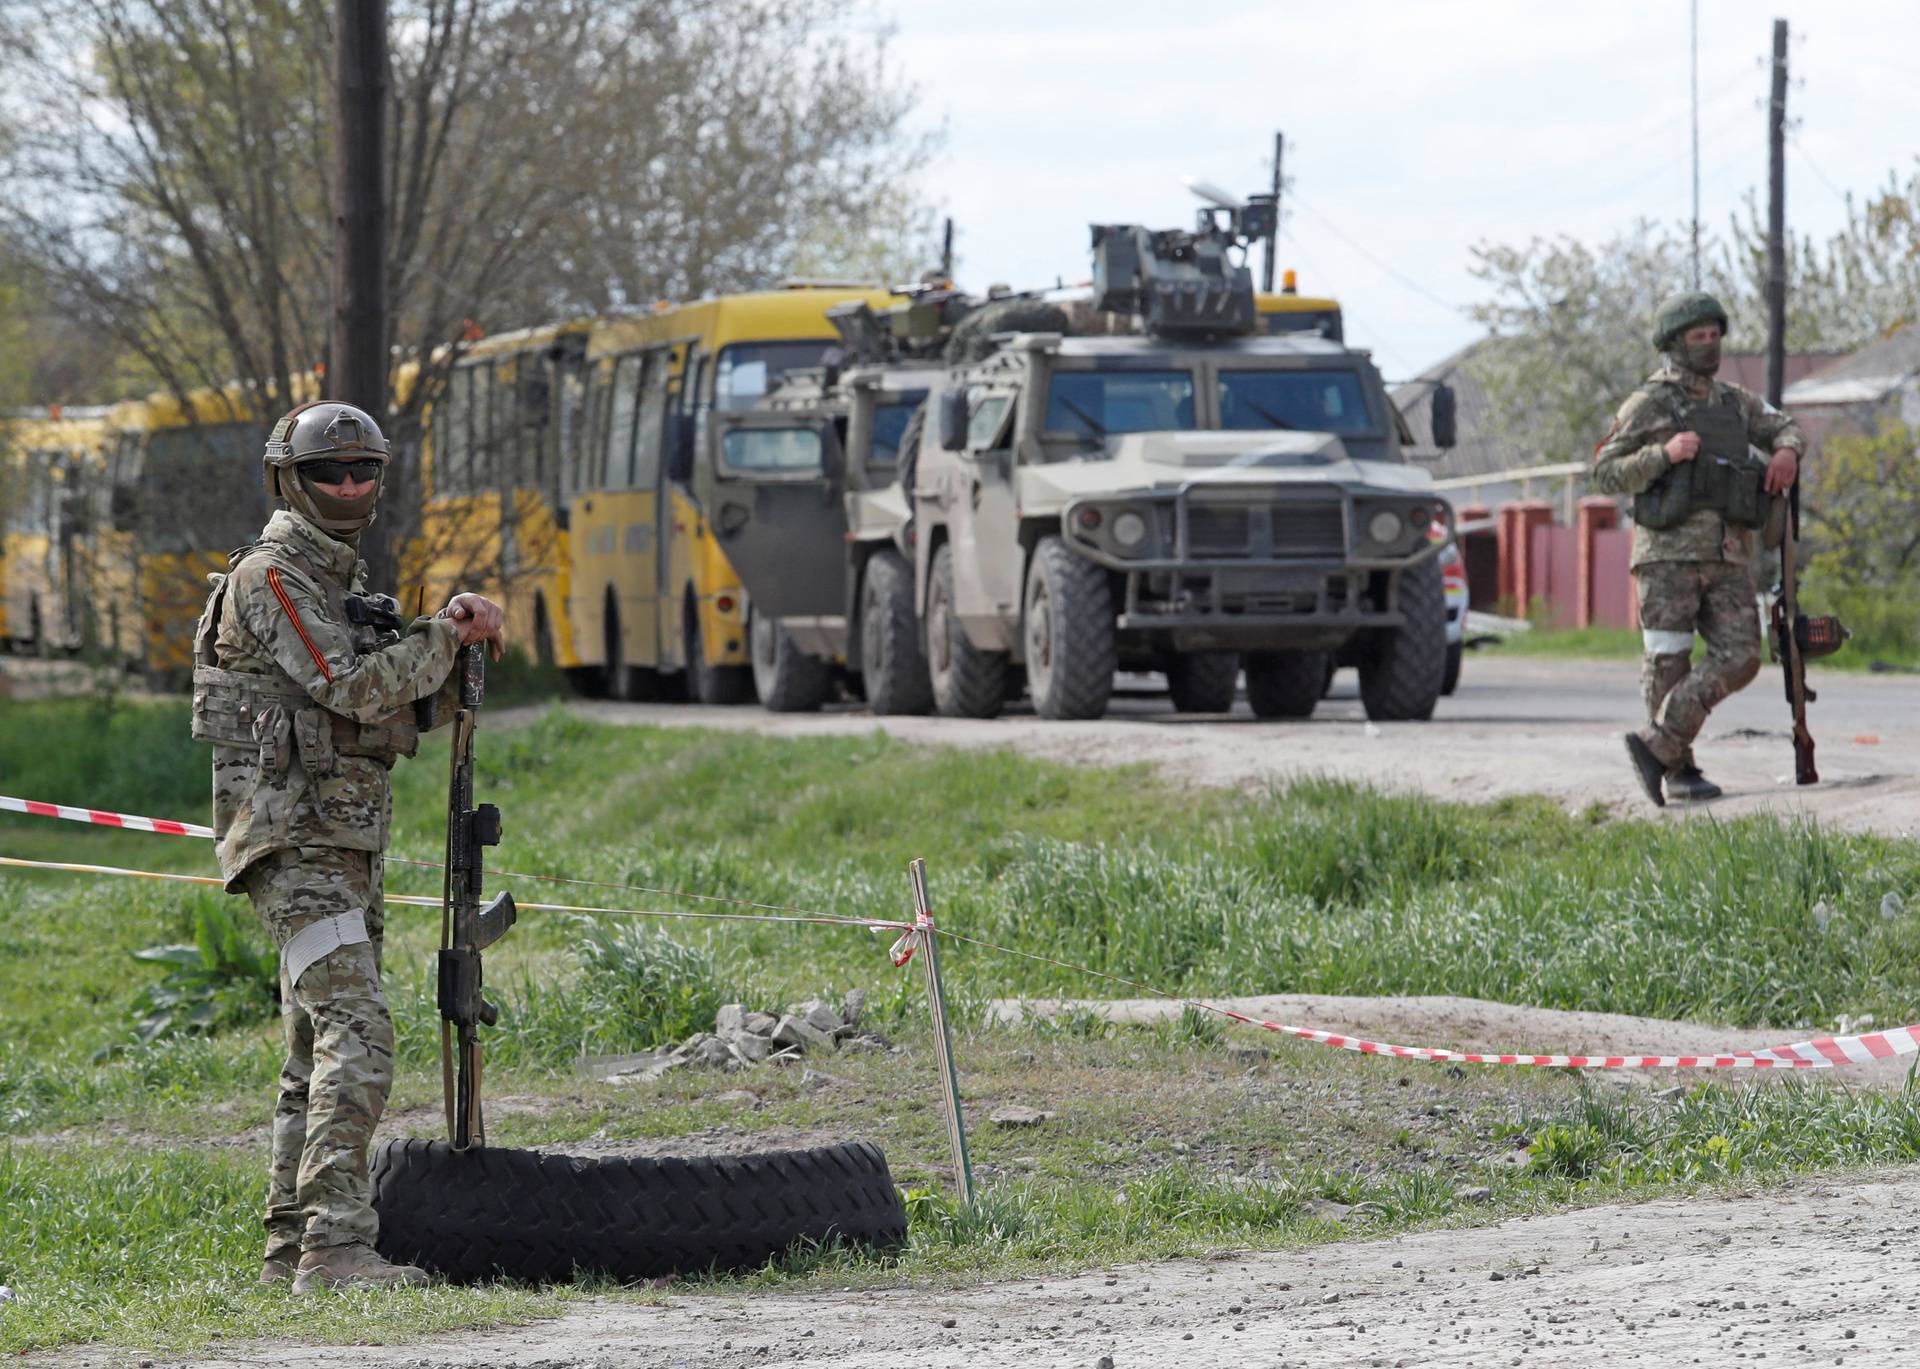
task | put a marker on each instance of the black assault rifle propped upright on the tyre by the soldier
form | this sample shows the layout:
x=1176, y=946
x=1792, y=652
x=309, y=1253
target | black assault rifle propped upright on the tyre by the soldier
x=466, y=926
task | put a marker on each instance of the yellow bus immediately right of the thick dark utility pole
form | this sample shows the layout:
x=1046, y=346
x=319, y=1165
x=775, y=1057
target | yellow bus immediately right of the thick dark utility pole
x=494, y=519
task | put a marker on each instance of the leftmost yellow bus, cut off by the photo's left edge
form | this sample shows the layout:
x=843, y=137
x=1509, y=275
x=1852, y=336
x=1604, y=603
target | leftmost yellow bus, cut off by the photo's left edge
x=51, y=464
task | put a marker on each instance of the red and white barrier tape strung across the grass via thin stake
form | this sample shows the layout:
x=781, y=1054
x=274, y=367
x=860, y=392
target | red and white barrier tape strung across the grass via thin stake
x=1819, y=1053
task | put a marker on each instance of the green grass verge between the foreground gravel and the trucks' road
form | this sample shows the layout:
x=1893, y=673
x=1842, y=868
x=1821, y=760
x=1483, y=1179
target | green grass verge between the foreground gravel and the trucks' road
x=137, y=1168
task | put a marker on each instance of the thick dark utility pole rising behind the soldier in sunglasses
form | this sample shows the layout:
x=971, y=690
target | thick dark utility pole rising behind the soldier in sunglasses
x=360, y=366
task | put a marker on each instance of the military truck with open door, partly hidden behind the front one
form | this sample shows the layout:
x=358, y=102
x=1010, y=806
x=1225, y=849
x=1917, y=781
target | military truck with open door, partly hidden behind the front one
x=811, y=510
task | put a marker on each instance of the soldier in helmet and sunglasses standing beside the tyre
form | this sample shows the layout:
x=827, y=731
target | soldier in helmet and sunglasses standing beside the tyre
x=306, y=688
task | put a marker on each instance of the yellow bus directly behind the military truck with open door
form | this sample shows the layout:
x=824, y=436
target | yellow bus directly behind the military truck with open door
x=654, y=604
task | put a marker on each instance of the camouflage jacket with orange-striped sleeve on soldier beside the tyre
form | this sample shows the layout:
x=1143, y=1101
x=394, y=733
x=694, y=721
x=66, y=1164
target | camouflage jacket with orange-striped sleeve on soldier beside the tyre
x=306, y=711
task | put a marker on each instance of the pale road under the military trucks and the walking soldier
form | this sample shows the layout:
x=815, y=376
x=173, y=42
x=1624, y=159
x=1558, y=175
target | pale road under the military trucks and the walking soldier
x=1514, y=727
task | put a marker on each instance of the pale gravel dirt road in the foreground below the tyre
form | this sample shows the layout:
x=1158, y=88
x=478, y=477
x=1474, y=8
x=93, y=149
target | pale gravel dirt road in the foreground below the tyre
x=1812, y=1276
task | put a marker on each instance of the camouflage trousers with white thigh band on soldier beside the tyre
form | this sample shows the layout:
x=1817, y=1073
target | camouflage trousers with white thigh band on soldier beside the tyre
x=339, y=1042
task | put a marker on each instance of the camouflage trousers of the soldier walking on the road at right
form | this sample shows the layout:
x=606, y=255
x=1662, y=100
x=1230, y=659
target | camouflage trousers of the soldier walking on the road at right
x=1677, y=600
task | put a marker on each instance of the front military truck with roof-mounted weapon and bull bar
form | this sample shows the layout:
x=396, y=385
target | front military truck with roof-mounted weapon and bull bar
x=1193, y=500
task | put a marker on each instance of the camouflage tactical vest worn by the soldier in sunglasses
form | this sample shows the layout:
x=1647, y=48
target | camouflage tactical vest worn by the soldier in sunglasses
x=276, y=715
